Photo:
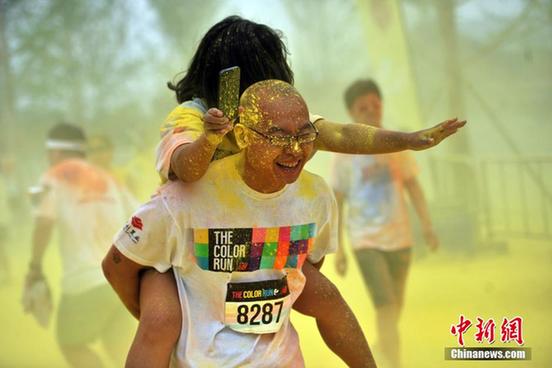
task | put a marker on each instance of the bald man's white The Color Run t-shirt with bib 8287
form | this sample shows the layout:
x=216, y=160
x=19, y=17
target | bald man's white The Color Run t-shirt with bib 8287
x=236, y=254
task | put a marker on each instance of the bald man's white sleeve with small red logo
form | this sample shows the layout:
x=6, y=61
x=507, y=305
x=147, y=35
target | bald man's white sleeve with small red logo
x=149, y=238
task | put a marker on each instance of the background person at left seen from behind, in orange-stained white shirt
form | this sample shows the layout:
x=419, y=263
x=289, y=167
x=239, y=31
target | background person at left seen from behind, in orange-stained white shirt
x=84, y=204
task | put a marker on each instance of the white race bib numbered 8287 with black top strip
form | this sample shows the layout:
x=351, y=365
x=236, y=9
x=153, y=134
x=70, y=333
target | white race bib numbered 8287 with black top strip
x=257, y=307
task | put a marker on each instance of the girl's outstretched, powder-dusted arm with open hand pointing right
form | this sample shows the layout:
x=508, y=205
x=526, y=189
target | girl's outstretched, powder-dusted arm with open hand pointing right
x=366, y=139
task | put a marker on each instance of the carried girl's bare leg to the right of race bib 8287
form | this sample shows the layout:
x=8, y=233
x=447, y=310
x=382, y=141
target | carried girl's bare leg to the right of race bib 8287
x=336, y=322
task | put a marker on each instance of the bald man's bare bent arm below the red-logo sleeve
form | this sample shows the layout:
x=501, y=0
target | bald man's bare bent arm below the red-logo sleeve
x=124, y=276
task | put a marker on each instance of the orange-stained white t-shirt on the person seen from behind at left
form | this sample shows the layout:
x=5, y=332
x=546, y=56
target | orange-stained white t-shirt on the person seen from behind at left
x=87, y=206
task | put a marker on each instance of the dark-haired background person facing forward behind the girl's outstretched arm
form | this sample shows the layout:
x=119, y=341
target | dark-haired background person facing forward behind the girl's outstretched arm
x=374, y=189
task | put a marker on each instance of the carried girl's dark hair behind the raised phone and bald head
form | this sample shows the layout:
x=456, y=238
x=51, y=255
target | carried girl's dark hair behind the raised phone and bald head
x=256, y=48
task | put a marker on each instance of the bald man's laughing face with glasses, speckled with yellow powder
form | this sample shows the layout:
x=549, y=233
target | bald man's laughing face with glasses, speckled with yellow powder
x=276, y=165
